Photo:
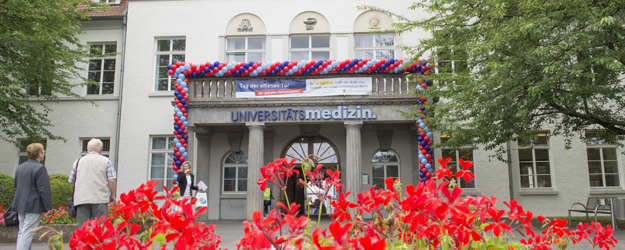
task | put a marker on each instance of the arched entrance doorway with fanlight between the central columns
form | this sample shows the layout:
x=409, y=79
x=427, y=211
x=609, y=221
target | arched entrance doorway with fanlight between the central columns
x=300, y=148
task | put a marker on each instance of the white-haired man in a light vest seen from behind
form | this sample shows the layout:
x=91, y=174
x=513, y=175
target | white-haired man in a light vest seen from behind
x=92, y=174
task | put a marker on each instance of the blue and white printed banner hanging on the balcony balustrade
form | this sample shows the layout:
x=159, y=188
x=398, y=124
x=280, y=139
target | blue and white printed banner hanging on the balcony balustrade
x=303, y=88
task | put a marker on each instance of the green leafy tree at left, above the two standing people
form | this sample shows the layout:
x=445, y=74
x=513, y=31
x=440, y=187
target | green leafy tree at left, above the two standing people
x=39, y=53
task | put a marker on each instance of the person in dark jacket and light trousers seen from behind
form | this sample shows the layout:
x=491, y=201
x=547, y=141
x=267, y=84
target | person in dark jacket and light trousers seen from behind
x=32, y=194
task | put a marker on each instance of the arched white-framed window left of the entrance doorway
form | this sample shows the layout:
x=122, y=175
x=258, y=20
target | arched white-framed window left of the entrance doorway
x=235, y=173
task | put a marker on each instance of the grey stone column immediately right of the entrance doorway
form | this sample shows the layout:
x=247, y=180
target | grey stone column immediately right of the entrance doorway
x=353, y=159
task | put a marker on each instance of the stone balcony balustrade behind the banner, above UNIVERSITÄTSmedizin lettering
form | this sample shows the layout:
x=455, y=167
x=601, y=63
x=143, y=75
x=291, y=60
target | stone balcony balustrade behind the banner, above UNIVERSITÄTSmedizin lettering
x=224, y=88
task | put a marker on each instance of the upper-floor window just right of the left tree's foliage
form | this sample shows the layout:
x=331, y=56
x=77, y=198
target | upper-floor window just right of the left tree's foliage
x=102, y=69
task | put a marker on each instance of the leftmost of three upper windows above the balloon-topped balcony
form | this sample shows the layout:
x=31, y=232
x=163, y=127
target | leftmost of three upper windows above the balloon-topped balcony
x=245, y=49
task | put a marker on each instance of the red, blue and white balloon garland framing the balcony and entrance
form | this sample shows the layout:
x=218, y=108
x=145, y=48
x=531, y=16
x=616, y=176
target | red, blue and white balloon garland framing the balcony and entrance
x=182, y=71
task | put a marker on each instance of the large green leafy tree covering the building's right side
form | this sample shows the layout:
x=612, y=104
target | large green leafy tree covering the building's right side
x=556, y=64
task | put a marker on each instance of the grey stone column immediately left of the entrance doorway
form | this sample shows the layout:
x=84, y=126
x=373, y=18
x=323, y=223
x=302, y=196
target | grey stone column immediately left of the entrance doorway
x=255, y=160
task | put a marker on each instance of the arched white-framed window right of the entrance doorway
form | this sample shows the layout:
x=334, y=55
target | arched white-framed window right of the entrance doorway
x=385, y=164
